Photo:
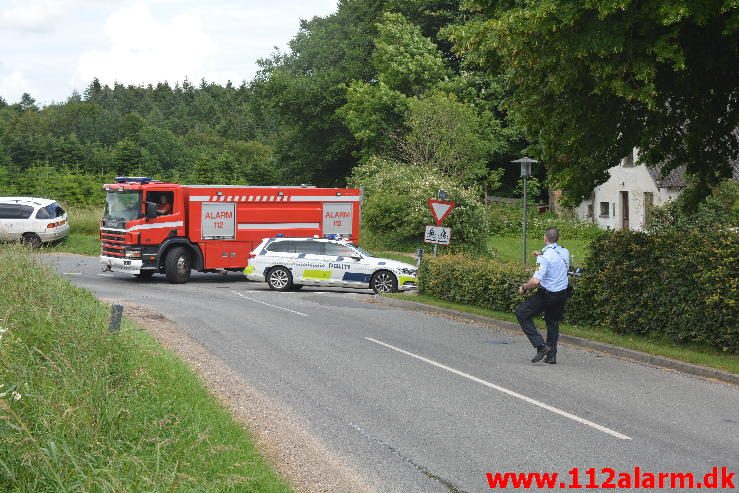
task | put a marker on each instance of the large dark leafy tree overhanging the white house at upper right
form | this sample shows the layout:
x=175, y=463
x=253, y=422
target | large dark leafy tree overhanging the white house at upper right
x=592, y=80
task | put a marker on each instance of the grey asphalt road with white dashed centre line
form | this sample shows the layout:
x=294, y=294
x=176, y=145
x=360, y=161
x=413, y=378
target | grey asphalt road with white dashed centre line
x=416, y=402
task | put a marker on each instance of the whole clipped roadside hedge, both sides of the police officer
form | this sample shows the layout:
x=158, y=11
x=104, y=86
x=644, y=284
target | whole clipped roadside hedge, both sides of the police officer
x=679, y=284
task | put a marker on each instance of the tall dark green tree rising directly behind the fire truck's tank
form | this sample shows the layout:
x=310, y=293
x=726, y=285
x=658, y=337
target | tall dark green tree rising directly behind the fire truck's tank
x=301, y=91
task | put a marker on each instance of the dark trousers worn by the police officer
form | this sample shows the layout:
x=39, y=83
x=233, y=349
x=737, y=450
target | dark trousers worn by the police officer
x=553, y=305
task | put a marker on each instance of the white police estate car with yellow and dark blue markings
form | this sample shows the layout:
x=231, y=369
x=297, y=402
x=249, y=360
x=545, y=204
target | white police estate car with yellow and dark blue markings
x=291, y=263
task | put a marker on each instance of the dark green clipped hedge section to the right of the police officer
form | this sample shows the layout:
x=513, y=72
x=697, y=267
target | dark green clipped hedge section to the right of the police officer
x=682, y=284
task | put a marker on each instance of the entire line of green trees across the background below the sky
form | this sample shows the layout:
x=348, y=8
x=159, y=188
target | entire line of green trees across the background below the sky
x=460, y=87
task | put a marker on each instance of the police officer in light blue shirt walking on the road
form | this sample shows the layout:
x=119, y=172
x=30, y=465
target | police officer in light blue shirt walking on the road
x=552, y=264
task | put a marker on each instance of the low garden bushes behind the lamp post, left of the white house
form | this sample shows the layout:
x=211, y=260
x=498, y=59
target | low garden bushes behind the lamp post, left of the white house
x=506, y=220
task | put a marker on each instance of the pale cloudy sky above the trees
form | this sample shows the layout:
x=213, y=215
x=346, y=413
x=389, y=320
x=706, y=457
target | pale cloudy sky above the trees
x=49, y=48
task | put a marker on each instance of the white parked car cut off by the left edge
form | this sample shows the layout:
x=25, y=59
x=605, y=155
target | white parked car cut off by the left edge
x=32, y=220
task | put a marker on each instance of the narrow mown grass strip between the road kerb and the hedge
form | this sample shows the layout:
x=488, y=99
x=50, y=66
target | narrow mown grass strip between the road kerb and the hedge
x=695, y=354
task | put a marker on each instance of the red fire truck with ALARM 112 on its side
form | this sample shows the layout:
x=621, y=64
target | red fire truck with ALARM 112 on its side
x=152, y=227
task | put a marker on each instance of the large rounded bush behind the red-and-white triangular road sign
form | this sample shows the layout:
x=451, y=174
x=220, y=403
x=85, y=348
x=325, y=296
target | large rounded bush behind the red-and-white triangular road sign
x=395, y=212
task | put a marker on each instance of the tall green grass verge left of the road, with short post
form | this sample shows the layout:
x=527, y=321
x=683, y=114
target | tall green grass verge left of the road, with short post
x=82, y=410
